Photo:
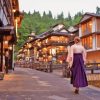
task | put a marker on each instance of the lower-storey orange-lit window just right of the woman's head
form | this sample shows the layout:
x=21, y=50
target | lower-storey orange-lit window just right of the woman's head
x=87, y=42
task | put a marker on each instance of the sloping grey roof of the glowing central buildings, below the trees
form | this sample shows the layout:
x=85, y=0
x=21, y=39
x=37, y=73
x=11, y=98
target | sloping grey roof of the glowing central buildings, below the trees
x=56, y=30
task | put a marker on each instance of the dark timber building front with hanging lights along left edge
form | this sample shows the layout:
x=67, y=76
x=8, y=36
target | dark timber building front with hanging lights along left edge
x=10, y=19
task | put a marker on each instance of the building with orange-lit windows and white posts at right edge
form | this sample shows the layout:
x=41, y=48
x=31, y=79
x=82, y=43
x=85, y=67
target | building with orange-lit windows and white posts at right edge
x=89, y=31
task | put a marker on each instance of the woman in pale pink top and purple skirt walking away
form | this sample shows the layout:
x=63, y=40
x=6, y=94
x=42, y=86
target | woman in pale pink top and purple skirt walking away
x=78, y=60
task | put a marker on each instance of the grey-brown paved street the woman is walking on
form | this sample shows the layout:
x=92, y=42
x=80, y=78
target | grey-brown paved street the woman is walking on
x=29, y=84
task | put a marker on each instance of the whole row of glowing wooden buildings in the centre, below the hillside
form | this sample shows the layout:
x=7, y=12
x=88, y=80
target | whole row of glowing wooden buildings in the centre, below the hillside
x=46, y=47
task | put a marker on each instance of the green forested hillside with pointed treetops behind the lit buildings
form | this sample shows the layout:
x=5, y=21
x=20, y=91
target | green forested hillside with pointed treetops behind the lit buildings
x=39, y=24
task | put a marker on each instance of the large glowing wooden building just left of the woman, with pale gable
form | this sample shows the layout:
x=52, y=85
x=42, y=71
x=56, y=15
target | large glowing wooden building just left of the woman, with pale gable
x=51, y=45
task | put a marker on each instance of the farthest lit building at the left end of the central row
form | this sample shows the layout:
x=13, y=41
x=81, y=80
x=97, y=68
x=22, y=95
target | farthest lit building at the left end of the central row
x=26, y=53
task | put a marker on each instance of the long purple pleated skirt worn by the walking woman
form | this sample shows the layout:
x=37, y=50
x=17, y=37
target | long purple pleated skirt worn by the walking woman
x=78, y=77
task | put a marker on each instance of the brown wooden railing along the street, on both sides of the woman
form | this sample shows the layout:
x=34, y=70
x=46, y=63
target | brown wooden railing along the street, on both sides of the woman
x=63, y=68
